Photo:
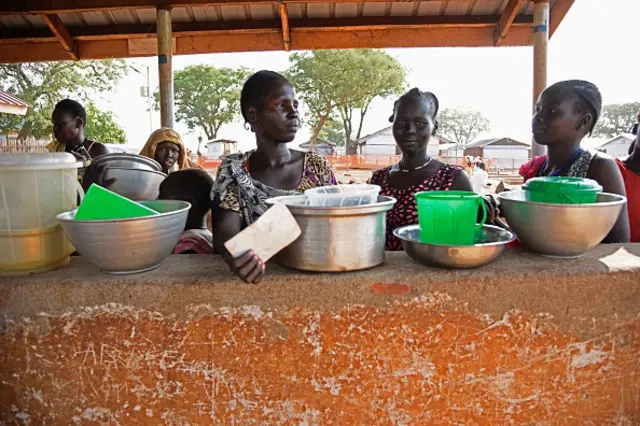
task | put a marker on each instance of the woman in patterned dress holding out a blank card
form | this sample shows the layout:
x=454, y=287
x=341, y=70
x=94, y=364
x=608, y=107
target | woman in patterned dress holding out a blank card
x=245, y=181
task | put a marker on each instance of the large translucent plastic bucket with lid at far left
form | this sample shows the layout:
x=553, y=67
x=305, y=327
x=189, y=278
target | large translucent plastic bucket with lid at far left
x=34, y=189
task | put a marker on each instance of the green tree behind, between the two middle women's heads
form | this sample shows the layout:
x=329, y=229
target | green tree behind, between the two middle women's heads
x=343, y=83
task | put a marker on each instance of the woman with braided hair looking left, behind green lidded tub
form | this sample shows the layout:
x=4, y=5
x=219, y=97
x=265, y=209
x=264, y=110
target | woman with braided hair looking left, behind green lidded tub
x=565, y=113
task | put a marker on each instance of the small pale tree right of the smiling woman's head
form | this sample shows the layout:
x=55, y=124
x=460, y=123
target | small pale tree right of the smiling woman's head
x=462, y=125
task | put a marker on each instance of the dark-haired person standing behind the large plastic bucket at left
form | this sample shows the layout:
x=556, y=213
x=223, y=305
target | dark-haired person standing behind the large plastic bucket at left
x=69, y=119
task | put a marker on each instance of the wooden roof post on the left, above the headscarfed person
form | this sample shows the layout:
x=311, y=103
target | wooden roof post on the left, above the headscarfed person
x=165, y=52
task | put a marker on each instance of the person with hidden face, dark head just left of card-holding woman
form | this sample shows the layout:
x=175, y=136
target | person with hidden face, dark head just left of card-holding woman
x=193, y=186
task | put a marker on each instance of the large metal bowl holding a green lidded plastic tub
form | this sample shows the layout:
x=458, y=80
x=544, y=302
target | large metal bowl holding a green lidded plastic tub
x=560, y=230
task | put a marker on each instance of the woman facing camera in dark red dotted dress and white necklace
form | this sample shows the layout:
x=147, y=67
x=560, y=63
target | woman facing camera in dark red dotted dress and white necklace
x=414, y=122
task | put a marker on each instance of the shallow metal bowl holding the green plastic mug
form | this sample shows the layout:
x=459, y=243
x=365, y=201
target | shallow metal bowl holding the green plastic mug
x=490, y=243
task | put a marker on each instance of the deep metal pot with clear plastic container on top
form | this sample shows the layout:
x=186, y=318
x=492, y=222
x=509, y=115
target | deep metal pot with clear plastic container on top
x=336, y=239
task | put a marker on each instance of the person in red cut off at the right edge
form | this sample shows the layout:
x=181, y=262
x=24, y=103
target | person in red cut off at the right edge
x=630, y=169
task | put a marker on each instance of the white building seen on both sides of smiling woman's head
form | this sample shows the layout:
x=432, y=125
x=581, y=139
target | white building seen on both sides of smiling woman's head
x=383, y=143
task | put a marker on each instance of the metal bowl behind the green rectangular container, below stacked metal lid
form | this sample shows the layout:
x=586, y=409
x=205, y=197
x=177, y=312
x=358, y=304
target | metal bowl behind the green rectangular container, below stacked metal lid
x=135, y=184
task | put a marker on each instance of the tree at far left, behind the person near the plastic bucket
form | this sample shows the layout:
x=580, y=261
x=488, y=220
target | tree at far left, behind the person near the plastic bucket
x=43, y=84
